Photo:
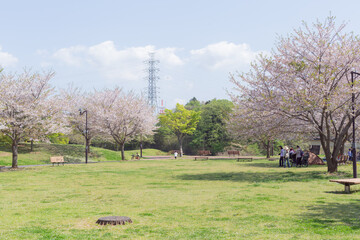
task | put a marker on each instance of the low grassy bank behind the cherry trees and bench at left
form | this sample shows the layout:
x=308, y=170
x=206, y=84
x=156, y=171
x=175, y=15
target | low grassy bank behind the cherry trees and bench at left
x=72, y=153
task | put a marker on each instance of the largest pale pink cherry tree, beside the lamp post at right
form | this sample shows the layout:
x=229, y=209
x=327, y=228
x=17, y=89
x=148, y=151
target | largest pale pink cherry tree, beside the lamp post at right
x=307, y=77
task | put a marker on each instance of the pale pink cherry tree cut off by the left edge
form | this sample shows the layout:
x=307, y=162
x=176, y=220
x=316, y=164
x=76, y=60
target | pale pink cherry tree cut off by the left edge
x=28, y=105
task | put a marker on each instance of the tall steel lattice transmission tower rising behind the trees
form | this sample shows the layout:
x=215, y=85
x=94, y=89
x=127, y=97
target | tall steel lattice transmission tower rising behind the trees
x=152, y=79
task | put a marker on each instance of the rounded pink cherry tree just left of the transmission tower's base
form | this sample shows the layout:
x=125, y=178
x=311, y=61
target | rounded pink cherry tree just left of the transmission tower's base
x=122, y=116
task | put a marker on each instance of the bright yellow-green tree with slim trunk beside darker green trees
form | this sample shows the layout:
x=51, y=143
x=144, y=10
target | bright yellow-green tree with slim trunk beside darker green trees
x=181, y=122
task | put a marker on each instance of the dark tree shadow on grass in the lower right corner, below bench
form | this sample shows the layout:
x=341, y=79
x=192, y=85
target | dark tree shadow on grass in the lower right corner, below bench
x=333, y=215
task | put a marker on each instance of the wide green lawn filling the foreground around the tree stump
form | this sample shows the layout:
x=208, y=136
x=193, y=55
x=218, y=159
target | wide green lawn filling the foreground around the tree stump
x=182, y=199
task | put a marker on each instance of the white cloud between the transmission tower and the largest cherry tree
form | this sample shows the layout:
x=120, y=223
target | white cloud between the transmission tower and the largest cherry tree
x=223, y=56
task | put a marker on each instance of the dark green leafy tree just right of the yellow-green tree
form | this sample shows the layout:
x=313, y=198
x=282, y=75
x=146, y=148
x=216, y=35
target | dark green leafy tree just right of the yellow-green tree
x=211, y=133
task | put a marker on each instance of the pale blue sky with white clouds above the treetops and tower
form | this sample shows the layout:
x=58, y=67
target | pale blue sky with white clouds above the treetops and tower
x=101, y=44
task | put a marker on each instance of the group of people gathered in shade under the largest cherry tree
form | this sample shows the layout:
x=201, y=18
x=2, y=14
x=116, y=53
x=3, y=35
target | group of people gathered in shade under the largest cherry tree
x=288, y=156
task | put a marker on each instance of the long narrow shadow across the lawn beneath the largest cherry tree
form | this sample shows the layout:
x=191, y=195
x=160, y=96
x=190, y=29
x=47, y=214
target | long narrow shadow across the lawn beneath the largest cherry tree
x=258, y=176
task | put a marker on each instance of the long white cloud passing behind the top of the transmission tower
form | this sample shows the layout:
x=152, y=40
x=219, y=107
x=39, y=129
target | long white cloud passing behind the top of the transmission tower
x=120, y=65
